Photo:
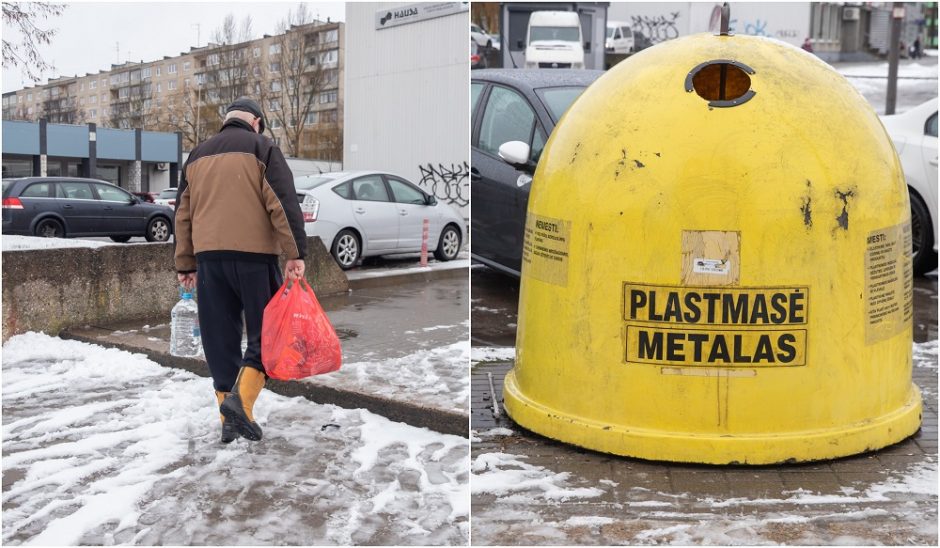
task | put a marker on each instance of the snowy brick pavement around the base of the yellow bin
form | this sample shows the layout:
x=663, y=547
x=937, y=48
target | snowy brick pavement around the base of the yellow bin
x=527, y=489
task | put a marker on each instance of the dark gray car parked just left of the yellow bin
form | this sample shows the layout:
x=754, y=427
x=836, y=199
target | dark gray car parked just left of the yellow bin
x=511, y=105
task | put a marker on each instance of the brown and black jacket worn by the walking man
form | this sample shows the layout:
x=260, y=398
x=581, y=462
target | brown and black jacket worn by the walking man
x=237, y=201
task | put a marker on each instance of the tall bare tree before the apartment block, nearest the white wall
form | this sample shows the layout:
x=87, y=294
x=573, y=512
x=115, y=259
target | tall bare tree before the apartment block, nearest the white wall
x=301, y=76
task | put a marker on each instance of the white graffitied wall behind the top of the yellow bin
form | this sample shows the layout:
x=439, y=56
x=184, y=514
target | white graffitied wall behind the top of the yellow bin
x=787, y=21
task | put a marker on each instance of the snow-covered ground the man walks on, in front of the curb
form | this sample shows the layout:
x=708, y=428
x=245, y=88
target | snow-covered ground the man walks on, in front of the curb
x=102, y=446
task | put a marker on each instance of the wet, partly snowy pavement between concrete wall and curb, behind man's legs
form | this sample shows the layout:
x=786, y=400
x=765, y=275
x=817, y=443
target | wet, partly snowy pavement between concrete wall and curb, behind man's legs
x=405, y=352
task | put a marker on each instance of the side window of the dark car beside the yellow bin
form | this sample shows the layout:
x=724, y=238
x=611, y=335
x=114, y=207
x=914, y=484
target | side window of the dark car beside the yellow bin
x=508, y=117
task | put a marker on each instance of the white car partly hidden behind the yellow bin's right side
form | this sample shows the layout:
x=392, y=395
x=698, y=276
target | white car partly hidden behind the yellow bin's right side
x=915, y=137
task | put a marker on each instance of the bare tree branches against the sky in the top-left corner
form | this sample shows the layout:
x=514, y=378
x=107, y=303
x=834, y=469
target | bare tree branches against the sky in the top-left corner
x=24, y=17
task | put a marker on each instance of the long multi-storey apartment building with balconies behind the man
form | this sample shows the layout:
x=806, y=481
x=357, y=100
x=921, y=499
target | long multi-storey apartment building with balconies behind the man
x=297, y=76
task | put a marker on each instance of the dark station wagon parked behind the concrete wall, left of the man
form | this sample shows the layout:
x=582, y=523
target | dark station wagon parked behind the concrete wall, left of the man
x=64, y=207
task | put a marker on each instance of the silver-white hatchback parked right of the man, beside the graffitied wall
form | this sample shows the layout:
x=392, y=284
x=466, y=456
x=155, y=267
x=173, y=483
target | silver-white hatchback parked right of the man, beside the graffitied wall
x=367, y=213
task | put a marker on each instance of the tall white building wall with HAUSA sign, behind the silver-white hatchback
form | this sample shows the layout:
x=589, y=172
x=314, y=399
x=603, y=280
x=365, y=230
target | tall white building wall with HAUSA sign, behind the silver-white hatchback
x=407, y=96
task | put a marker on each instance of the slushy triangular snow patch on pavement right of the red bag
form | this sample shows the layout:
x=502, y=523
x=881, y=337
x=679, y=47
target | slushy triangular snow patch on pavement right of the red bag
x=436, y=377
